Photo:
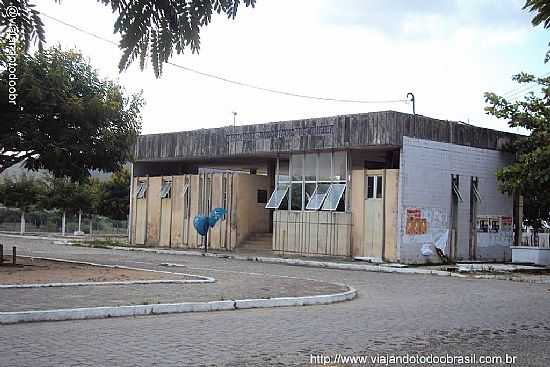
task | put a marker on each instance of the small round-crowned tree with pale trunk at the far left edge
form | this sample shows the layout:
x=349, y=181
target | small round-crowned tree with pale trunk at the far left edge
x=22, y=193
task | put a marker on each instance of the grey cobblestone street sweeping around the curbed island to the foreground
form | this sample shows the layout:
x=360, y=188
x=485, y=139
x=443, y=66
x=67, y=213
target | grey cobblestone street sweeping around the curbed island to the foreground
x=393, y=314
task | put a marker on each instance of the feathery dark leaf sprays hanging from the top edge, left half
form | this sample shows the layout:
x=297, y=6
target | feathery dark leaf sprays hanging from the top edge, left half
x=148, y=28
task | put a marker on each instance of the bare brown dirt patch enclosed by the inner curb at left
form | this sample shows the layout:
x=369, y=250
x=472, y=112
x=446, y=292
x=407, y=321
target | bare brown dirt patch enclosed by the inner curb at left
x=31, y=271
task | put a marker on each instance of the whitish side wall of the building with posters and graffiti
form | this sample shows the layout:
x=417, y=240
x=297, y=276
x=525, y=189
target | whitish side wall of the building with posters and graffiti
x=425, y=183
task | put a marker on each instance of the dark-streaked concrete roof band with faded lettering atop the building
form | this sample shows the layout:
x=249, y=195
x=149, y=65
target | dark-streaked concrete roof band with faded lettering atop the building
x=384, y=129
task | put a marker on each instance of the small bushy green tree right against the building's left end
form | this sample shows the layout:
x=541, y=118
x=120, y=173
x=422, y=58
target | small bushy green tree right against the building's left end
x=115, y=197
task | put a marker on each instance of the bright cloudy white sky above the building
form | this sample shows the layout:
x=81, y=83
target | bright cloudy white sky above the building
x=447, y=52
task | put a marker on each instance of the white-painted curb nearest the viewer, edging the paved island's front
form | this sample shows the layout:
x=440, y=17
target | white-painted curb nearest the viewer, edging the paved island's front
x=166, y=308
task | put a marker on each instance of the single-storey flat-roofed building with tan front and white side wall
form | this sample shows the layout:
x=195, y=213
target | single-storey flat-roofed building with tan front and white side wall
x=383, y=185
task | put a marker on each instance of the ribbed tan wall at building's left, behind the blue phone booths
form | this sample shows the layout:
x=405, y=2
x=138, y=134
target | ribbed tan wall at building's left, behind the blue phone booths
x=169, y=222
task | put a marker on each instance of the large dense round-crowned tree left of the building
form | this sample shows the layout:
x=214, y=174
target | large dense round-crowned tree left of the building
x=66, y=119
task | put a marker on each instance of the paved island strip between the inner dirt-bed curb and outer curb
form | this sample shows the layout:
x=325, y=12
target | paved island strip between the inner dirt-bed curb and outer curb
x=228, y=285
